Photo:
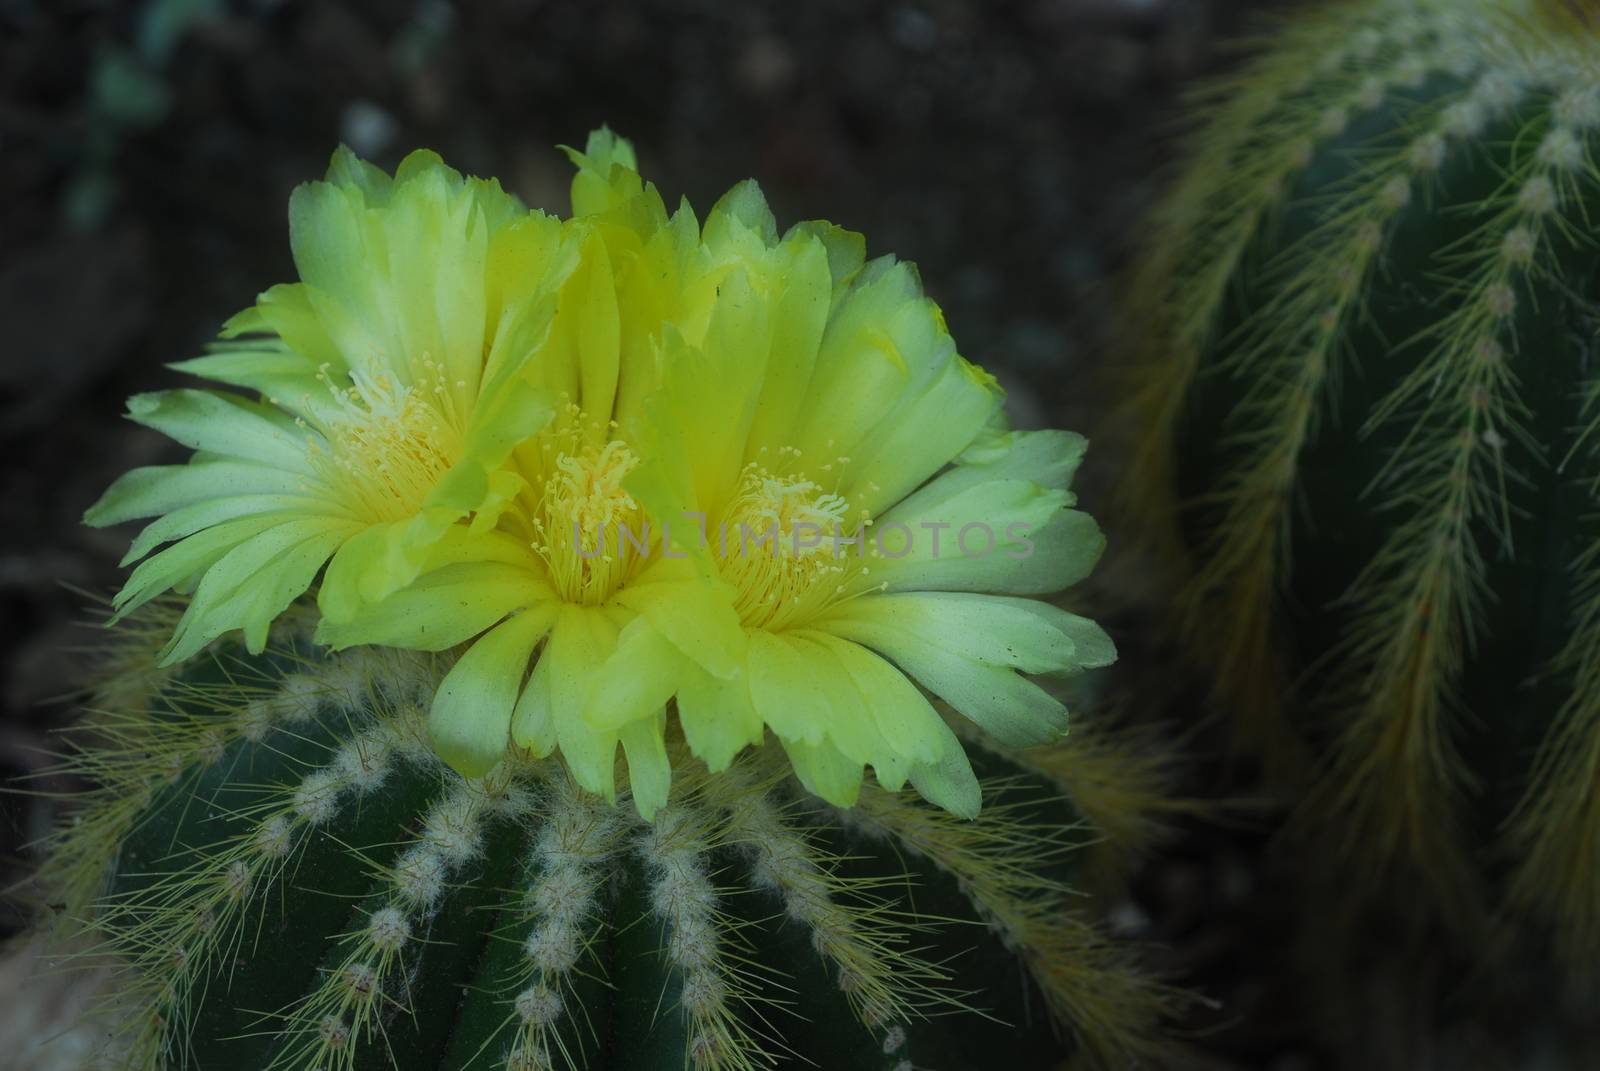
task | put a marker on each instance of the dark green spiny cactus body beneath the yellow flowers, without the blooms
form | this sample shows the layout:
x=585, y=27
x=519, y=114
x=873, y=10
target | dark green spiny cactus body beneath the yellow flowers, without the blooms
x=297, y=881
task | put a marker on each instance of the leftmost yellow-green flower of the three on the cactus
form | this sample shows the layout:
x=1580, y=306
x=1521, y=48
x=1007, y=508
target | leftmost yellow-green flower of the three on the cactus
x=391, y=393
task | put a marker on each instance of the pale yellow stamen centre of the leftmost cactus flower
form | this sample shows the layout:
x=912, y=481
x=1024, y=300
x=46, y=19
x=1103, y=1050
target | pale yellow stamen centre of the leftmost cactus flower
x=390, y=446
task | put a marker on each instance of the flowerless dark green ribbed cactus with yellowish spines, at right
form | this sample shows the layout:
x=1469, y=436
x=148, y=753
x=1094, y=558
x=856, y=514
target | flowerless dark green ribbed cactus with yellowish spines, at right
x=1370, y=406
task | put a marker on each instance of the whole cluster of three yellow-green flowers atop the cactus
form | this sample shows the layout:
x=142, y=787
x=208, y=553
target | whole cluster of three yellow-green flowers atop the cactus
x=494, y=431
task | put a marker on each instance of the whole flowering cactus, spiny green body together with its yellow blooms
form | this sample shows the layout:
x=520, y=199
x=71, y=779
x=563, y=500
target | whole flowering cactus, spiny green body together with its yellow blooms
x=551, y=678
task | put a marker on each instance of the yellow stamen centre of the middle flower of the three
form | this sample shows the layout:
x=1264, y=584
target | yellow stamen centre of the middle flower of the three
x=588, y=529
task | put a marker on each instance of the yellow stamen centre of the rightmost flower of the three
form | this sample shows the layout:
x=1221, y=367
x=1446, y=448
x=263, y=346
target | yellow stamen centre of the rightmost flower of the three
x=788, y=547
